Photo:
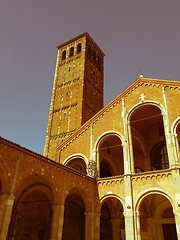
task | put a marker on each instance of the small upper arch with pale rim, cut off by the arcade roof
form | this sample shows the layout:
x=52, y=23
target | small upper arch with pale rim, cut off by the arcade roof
x=77, y=162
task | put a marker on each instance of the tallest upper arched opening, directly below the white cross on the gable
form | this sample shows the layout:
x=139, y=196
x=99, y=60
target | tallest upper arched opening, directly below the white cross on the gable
x=147, y=131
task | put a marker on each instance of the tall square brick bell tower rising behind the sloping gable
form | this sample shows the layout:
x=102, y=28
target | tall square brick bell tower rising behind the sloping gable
x=78, y=89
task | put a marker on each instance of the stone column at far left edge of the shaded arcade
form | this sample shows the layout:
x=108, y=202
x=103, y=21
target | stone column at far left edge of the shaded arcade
x=6, y=207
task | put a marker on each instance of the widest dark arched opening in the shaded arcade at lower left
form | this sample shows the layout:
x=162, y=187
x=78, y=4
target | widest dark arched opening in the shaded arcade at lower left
x=32, y=214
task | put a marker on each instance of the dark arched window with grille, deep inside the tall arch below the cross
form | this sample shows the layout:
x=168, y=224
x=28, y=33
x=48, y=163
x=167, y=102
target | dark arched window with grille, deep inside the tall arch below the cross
x=159, y=157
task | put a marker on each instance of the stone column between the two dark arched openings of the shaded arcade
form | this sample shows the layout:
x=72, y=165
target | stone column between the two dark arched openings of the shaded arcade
x=57, y=222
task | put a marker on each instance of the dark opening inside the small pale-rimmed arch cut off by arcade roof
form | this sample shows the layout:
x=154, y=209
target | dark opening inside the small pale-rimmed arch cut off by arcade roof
x=77, y=164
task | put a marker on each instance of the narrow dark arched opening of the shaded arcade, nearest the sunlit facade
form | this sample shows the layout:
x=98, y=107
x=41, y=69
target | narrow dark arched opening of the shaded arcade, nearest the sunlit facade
x=74, y=218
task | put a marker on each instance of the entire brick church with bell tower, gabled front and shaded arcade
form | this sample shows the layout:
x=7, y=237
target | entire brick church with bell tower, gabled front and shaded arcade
x=108, y=172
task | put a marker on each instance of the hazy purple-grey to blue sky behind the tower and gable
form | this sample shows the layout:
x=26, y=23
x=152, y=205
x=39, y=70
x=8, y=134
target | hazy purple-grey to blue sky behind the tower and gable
x=137, y=36
